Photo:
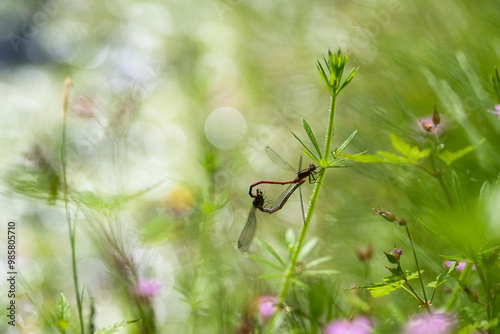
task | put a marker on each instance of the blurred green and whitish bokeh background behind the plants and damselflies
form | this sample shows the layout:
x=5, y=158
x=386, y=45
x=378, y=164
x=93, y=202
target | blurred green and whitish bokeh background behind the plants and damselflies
x=185, y=95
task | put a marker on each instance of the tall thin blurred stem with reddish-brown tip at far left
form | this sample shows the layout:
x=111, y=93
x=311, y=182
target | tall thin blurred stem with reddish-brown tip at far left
x=71, y=227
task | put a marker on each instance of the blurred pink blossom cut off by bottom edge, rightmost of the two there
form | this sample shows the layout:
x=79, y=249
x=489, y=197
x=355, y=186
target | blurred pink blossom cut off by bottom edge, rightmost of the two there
x=439, y=323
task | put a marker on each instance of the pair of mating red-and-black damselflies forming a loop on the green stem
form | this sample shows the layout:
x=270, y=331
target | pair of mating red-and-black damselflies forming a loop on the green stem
x=259, y=201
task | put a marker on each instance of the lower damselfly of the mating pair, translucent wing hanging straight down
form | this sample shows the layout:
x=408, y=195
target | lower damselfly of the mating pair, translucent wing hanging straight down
x=248, y=232
